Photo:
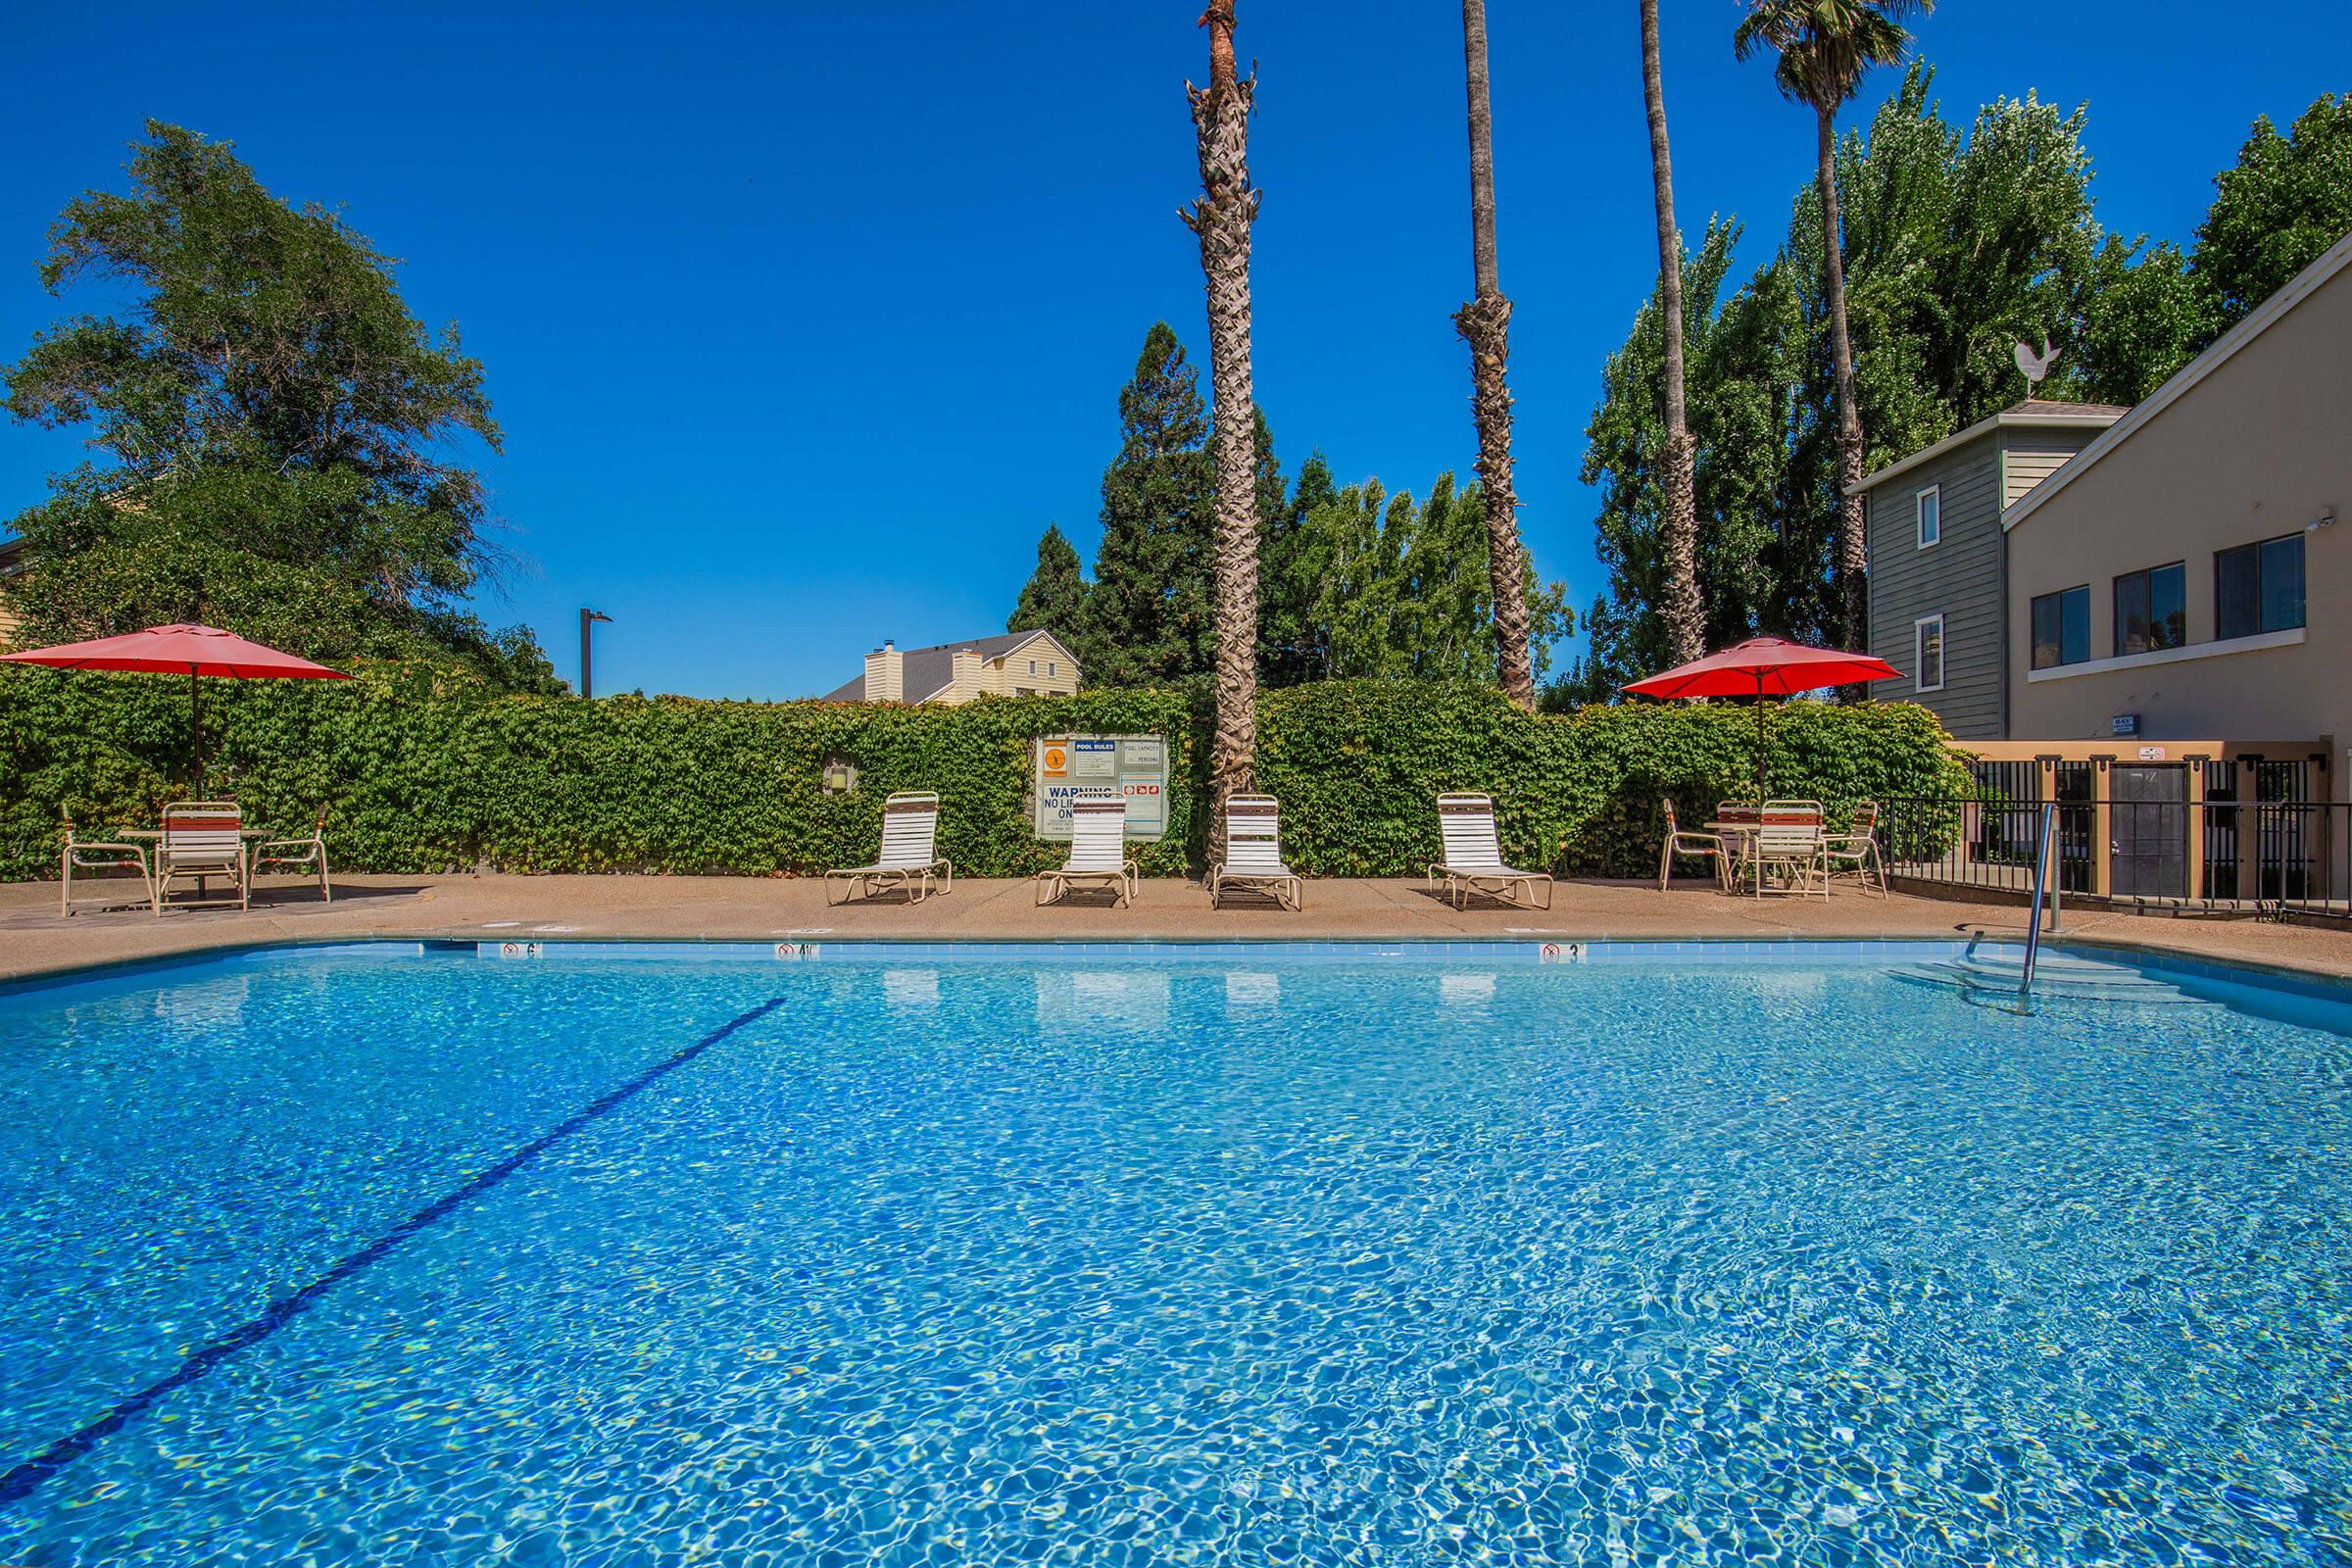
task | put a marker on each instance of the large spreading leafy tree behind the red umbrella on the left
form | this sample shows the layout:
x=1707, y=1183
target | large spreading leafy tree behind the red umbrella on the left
x=269, y=424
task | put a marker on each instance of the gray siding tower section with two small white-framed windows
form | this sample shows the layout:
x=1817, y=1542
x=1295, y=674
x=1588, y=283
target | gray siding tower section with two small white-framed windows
x=1937, y=556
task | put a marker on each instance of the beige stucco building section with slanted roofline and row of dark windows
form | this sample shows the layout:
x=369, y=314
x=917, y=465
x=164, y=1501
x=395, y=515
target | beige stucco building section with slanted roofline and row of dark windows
x=2189, y=572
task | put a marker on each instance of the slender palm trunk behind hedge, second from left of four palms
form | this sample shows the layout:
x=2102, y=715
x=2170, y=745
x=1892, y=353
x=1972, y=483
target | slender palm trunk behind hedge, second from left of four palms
x=1485, y=326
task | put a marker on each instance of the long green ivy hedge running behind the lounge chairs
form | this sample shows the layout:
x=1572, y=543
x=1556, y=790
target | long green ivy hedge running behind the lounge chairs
x=425, y=772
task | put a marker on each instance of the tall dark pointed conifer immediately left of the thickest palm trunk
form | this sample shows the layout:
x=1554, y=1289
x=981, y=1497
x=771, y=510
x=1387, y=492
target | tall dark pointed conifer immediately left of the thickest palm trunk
x=1149, y=608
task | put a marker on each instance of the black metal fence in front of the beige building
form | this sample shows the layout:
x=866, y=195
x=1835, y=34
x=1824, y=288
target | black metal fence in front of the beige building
x=2254, y=857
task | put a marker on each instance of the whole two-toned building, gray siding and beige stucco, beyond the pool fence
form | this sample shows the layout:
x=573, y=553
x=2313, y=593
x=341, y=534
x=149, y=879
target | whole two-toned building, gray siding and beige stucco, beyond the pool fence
x=2153, y=631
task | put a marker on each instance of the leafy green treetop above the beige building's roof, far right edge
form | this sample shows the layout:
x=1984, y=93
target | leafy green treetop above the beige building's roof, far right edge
x=2287, y=201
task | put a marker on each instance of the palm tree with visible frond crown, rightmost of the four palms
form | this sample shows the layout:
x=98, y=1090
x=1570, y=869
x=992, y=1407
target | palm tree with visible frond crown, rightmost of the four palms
x=1824, y=48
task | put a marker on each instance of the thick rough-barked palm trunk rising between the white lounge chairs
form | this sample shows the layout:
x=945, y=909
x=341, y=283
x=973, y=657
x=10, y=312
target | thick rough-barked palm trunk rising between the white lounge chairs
x=1222, y=220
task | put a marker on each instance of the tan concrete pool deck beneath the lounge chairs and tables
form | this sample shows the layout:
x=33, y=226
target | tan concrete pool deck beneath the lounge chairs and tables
x=34, y=939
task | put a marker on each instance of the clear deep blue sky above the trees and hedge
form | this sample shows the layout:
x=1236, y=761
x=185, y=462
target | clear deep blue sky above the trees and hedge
x=803, y=321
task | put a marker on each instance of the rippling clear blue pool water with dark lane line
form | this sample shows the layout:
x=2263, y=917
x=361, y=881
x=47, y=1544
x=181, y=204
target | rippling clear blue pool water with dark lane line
x=420, y=1259
